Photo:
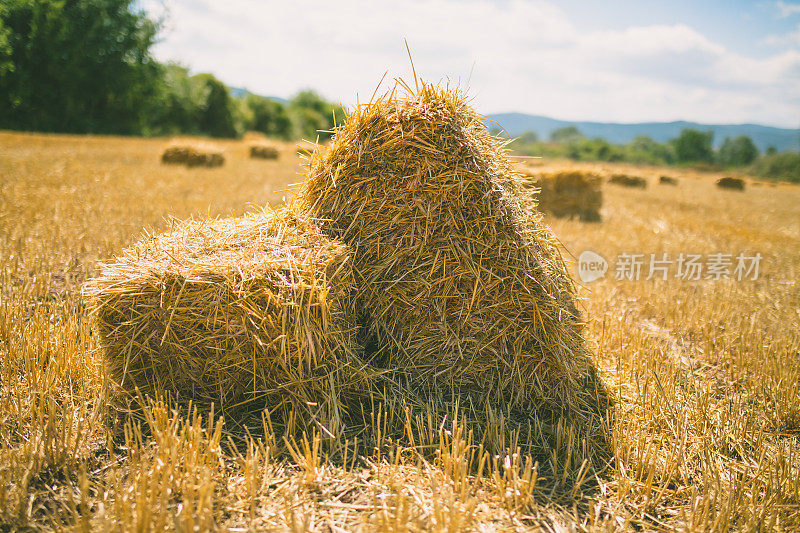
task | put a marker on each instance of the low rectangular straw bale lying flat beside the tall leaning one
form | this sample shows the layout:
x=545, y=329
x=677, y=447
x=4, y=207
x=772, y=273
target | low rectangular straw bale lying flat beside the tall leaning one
x=236, y=312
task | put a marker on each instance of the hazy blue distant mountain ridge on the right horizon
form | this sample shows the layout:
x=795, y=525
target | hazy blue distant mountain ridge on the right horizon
x=763, y=136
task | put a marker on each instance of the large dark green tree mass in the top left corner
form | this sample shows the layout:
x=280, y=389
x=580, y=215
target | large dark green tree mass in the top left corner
x=76, y=65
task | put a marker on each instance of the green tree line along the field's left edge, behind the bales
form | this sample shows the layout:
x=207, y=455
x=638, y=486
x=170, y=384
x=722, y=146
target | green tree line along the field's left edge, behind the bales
x=85, y=66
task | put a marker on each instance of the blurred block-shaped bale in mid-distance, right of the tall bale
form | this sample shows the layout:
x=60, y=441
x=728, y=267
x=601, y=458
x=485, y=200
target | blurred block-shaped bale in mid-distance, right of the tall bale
x=569, y=193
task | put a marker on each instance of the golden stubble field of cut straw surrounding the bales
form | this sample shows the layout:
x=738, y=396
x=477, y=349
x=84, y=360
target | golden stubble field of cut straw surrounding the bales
x=705, y=374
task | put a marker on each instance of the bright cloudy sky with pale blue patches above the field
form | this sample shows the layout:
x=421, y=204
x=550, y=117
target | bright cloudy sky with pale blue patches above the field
x=625, y=61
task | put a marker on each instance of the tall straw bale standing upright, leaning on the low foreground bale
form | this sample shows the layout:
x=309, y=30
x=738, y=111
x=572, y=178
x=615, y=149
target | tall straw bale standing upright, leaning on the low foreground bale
x=462, y=288
